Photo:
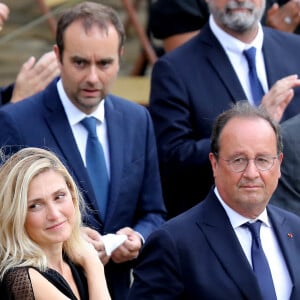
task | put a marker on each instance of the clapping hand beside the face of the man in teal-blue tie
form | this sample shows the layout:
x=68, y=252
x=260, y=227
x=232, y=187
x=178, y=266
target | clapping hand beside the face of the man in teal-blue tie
x=34, y=77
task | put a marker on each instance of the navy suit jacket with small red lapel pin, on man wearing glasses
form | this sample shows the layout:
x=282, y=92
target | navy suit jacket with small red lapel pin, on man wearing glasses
x=197, y=256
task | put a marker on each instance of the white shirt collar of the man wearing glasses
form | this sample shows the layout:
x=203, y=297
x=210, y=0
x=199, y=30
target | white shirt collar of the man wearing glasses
x=238, y=220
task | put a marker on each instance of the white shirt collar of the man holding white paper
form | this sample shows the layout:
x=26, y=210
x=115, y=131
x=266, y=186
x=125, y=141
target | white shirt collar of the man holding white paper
x=74, y=114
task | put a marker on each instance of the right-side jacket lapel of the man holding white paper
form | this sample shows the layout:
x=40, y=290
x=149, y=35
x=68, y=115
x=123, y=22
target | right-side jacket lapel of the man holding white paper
x=116, y=138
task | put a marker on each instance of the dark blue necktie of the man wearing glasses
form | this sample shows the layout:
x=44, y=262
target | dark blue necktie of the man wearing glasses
x=260, y=264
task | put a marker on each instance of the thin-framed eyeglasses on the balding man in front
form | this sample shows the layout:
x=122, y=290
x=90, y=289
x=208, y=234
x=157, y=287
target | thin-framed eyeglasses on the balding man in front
x=240, y=163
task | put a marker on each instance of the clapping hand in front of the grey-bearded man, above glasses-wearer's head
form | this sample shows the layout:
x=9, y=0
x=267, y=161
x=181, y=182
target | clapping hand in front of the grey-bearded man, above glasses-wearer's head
x=279, y=96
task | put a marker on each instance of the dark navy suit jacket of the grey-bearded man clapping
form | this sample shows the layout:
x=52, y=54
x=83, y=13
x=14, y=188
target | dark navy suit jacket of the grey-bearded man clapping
x=190, y=87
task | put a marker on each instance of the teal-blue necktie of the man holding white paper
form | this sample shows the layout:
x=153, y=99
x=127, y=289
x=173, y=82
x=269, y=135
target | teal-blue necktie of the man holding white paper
x=96, y=167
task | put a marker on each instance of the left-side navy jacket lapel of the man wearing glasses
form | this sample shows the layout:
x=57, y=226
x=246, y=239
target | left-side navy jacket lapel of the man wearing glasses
x=221, y=237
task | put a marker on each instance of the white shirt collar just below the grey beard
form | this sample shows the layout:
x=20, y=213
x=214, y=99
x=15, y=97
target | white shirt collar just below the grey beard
x=232, y=44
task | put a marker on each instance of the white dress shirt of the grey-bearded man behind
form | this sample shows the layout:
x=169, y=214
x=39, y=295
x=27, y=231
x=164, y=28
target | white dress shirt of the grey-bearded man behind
x=234, y=49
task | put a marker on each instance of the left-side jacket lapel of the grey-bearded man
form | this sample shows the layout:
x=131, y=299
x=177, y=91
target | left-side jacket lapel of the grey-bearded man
x=221, y=64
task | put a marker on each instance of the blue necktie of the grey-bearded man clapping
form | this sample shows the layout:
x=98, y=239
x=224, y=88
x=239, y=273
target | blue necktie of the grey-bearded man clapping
x=256, y=88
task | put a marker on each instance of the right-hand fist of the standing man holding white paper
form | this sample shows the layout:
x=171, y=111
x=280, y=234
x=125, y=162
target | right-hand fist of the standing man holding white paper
x=130, y=248
